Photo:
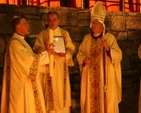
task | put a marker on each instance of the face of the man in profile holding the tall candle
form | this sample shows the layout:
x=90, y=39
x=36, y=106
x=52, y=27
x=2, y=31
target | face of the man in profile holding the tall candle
x=23, y=27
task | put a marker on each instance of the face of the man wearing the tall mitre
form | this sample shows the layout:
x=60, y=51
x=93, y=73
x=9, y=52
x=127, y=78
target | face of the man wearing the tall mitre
x=97, y=27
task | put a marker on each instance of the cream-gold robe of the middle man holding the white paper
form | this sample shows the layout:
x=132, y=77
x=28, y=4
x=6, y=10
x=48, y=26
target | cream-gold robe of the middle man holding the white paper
x=57, y=88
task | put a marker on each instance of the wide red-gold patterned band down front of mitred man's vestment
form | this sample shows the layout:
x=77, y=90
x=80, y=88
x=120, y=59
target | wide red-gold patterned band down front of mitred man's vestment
x=95, y=75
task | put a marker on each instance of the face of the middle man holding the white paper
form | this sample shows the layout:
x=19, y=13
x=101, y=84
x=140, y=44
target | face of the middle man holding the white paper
x=53, y=21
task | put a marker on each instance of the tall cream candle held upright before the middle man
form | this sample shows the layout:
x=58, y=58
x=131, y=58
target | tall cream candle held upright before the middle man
x=51, y=56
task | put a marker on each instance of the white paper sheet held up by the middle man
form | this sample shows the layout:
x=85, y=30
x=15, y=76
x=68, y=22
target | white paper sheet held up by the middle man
x=59, y=45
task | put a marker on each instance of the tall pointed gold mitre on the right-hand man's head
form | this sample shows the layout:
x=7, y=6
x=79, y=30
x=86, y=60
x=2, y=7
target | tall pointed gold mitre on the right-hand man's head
x=98, y=13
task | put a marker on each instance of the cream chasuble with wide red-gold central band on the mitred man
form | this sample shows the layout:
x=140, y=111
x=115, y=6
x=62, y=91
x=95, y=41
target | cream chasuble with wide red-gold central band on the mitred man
x=92, y=75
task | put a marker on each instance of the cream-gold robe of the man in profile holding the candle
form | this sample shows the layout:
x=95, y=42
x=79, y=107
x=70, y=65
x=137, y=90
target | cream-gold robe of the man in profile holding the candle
x=21, y=88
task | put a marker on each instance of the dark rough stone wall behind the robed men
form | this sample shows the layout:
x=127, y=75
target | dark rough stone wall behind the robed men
x=125, y=26
